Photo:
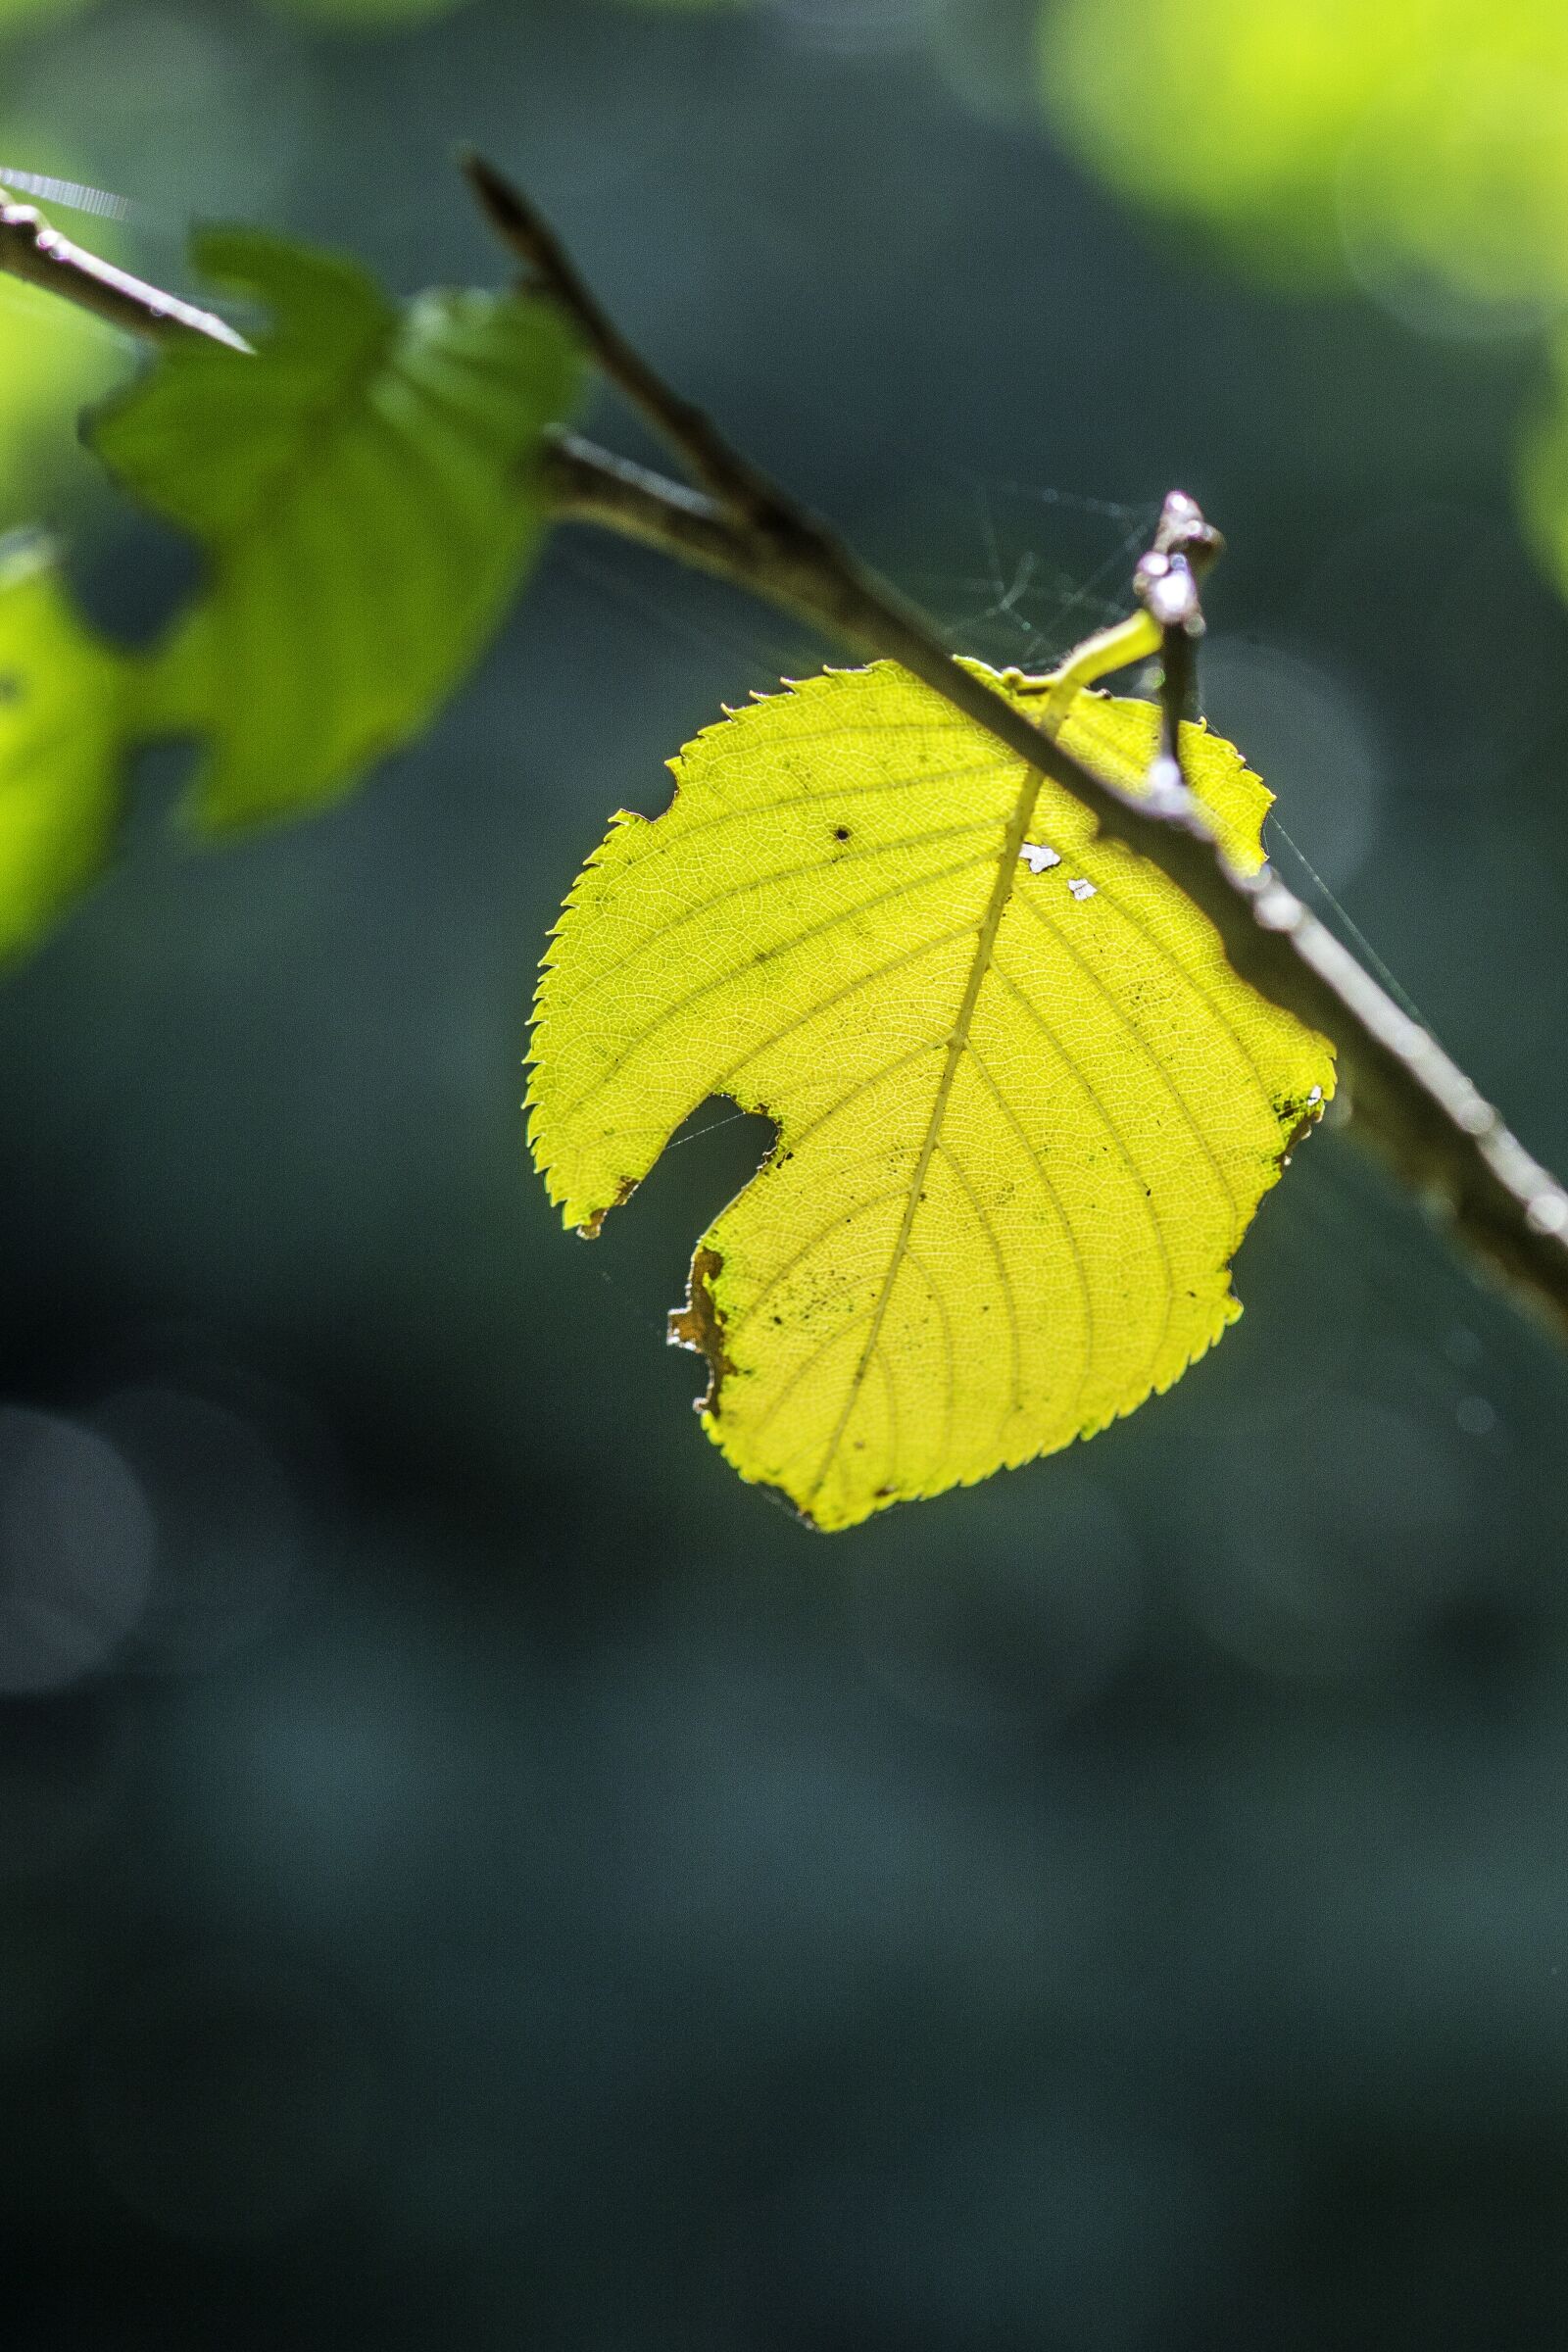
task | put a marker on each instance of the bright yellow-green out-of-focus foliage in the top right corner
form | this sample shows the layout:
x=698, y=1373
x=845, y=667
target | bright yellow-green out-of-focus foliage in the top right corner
x=1421, y=145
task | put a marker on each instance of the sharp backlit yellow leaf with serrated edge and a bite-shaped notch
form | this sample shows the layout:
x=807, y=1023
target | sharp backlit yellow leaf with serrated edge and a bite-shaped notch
x=1024, y=1107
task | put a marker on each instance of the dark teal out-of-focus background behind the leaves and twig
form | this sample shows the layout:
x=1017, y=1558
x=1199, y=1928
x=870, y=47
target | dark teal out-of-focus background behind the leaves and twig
x=474, y=1873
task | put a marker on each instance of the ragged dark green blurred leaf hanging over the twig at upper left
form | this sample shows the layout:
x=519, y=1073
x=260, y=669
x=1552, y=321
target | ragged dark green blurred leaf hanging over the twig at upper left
x=363, y=495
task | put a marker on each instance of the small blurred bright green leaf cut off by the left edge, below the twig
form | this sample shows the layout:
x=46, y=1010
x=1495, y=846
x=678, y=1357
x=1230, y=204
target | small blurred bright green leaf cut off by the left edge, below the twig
x=62, y=730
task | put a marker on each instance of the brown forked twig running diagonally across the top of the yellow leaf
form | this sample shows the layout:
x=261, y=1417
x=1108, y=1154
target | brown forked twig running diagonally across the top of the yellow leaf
x=1407, y=1100
